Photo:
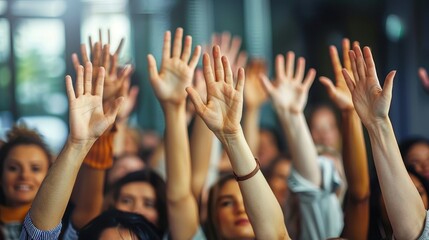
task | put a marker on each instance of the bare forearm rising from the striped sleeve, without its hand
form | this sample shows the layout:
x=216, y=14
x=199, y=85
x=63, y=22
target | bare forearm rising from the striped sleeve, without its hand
x=52, y=198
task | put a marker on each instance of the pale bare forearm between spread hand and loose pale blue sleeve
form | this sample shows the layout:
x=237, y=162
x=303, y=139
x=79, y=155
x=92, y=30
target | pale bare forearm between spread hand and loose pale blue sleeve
x=301, y=146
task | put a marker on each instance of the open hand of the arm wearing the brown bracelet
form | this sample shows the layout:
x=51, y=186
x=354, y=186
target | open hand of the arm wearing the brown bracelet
x=223, y=110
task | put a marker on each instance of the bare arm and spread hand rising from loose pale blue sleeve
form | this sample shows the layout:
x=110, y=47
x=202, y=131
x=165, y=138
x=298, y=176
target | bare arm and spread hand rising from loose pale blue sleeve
x=289, y=94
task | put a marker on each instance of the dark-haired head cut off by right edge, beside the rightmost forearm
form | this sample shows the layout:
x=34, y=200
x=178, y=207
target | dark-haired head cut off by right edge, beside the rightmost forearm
x=415, y=153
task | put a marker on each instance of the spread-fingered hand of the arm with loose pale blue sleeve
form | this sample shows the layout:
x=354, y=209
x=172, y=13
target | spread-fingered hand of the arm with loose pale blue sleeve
x=290, y=90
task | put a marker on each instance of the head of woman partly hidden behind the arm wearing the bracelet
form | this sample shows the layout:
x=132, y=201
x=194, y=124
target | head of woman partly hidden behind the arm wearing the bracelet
x=227, y=218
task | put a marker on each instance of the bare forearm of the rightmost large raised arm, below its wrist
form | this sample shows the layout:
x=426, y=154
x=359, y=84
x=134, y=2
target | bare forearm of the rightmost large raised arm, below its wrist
x=403, y=203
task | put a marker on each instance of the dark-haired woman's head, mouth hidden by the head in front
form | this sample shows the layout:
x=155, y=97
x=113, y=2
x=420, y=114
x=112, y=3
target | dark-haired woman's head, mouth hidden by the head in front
x=143, y=192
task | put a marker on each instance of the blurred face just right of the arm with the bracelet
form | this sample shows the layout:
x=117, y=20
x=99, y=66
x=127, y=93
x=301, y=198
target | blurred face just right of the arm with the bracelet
x=278, y=181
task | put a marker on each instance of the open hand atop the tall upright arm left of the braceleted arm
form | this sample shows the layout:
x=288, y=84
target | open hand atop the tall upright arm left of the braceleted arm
x=176, y=69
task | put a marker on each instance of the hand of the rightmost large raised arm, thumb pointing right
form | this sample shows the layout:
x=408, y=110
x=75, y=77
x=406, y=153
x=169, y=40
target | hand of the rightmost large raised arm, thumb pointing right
x=371, y=102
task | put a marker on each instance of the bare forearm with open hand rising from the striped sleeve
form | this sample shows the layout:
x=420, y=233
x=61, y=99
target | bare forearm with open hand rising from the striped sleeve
x=88, y=121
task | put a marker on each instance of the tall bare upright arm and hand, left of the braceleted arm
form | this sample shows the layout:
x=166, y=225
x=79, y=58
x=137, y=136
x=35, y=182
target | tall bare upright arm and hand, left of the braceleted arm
x=177, y=69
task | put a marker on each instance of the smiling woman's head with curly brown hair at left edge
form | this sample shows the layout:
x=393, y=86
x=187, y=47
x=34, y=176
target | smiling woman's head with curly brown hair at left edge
x=24, y=163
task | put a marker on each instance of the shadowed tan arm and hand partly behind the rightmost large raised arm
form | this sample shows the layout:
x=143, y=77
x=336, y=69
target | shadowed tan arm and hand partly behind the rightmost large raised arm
x=356, y=219
